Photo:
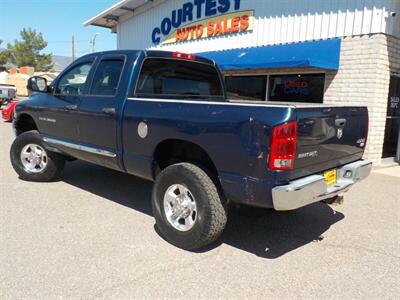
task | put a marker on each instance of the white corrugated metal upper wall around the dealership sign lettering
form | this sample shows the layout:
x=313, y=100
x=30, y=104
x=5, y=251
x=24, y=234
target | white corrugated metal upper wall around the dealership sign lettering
x=276, y=22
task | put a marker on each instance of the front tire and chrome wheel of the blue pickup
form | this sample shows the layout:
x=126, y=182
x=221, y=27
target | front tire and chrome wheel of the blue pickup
x=49, y=165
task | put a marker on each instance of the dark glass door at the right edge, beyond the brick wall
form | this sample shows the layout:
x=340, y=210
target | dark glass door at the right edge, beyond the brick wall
x=392, y=131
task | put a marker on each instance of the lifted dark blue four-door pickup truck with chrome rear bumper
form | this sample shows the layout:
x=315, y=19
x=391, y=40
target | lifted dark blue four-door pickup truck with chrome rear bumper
x=165, y=116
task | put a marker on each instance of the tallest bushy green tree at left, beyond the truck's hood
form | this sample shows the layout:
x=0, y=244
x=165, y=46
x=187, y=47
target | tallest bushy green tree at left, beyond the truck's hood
x=27, y=51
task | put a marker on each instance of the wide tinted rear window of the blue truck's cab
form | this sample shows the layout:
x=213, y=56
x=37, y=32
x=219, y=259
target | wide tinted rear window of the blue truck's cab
x=167, y=78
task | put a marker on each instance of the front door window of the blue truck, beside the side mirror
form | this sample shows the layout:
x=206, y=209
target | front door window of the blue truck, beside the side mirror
x=73, y=83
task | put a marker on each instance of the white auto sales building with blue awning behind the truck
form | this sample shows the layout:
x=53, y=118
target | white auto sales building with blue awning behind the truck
x=318, y=51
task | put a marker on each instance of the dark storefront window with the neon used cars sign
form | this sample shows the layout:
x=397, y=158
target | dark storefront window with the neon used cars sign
x=297, y=88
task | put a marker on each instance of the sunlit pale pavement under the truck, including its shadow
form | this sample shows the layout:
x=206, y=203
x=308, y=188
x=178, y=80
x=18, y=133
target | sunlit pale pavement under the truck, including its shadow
x=92, y=235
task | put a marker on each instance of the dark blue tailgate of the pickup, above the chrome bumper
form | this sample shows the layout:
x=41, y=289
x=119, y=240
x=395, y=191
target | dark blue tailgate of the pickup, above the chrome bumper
x=328, y=137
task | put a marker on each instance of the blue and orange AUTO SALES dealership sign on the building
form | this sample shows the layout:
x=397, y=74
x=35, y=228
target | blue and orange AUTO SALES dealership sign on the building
x=203, y=18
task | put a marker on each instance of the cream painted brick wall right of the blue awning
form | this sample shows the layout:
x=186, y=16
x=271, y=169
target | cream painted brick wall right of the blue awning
x=366, y=63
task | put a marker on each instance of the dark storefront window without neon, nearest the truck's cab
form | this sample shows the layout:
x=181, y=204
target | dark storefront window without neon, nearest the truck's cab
x=246, y=87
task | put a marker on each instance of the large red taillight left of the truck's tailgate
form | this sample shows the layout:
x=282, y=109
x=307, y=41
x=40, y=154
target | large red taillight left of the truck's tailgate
x=283, y=146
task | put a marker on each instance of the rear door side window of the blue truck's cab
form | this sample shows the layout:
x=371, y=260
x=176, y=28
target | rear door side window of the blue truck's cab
x=107, y=77
